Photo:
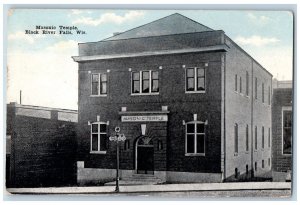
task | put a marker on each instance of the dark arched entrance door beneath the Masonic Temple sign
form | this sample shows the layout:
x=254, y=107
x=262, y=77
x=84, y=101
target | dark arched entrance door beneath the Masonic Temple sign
x=144, y=156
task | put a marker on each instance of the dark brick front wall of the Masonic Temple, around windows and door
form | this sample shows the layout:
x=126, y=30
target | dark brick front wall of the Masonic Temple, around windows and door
x=182, y=106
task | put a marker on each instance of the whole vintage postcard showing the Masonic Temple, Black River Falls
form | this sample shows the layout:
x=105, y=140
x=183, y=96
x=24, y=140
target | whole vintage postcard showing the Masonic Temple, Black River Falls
x=190, y=103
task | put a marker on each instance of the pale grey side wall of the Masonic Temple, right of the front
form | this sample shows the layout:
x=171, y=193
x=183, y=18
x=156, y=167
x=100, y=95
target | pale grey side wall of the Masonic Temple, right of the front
x=243, y=110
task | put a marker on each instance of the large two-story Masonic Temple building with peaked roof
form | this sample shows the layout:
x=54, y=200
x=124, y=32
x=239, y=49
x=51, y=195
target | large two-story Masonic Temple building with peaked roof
x=193, y=105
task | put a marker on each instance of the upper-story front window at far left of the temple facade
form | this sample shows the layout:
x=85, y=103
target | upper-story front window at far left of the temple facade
x=99, y=84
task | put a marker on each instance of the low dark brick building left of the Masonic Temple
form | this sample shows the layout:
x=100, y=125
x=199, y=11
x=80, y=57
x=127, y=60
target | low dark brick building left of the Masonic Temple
x=41, y=146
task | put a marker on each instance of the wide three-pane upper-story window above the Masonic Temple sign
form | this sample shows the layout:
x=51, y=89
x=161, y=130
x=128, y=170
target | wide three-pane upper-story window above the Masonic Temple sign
x=145, y=82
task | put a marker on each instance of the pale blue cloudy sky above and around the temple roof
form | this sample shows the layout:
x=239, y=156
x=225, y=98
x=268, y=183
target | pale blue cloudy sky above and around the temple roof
x=41, y=65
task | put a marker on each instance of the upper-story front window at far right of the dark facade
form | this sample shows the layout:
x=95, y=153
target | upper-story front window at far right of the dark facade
x=195, y=79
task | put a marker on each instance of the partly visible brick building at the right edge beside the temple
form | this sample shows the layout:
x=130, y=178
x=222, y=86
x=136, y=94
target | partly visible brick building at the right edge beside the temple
x=282, y=130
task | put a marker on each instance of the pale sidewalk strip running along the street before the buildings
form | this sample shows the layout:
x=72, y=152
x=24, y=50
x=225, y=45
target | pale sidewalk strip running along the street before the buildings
x=156, y=188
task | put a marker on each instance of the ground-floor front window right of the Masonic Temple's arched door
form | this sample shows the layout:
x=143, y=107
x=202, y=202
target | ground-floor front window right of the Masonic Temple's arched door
x=195, y=138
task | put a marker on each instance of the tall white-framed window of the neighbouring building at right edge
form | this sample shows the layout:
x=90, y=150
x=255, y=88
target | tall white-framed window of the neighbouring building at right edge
x=287, y=131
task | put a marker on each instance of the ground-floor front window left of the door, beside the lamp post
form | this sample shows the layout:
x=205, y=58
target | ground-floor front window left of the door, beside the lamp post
x=98, y=137
